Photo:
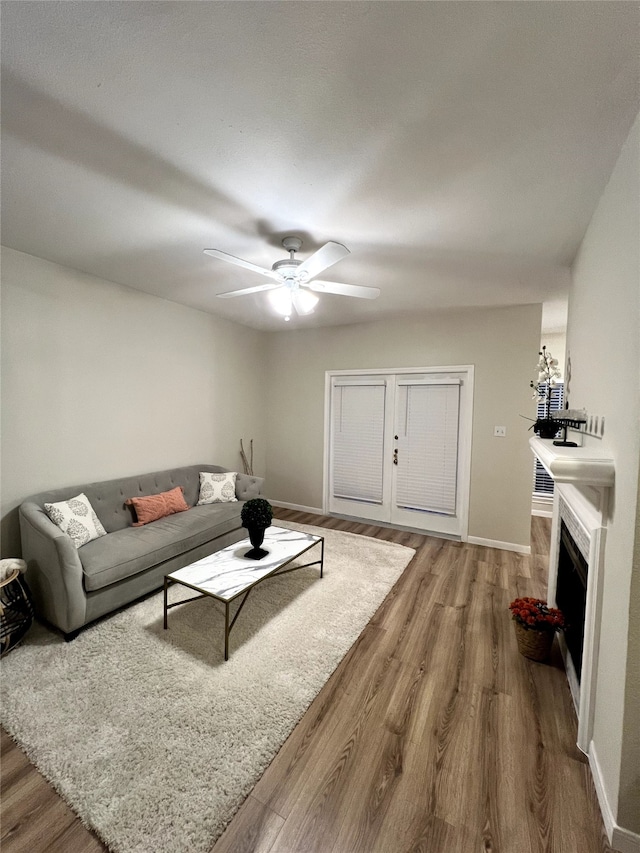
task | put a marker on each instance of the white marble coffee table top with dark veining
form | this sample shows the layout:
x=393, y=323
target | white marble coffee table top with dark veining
x=228, y=573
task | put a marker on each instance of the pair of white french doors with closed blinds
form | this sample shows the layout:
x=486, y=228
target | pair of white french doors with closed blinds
x=398, y=447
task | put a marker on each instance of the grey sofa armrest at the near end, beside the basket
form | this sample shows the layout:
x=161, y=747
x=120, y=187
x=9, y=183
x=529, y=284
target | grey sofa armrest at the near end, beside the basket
x=54, y=570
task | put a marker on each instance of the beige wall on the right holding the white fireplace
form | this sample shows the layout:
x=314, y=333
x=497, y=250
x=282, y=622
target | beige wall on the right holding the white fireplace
x=603, y=341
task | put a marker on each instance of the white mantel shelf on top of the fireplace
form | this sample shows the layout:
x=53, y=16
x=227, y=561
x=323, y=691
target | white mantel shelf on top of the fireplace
x=580, y=466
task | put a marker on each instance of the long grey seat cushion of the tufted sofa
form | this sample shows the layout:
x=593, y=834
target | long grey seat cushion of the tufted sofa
x=124, y=553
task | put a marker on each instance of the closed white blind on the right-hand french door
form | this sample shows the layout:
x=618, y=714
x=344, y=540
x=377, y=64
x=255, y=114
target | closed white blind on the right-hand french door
x=428, y=447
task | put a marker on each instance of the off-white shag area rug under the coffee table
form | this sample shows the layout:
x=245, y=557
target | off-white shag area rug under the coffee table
x=149, y=735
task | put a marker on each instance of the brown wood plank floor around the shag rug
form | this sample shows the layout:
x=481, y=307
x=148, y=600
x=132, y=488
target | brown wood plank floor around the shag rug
x=432, y=736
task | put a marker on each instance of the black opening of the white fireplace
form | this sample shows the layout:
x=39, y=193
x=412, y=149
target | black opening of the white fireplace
x=571, y=595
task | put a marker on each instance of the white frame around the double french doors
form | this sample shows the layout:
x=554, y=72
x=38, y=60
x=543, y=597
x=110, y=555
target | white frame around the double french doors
x=465, y=372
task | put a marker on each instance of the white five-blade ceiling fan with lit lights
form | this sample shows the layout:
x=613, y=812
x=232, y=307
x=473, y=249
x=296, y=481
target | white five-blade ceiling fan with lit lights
x=292, y=279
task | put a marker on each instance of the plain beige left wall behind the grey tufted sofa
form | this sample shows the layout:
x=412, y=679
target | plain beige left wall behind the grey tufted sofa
x=99, y=381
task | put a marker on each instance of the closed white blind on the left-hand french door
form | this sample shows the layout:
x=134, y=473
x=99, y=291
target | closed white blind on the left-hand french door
x=358, y=441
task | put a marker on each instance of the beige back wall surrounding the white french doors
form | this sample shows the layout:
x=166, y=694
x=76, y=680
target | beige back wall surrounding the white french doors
x=503, y=345
